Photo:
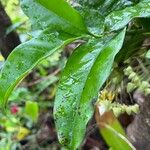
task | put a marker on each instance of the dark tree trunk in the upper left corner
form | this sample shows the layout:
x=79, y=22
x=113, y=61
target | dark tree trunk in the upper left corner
x=10, y=41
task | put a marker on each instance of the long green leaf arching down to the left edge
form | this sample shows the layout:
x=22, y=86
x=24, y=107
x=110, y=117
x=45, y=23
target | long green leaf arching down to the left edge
x=26, y=56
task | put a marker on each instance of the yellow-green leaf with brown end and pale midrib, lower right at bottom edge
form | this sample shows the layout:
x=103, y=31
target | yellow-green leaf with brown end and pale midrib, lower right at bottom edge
x=112, y=131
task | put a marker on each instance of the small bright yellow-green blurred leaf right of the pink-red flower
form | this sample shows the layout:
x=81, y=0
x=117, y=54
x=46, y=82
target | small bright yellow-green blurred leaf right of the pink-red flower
x=32, y=110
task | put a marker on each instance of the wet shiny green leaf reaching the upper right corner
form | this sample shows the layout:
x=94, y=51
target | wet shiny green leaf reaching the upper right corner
x=118, y=19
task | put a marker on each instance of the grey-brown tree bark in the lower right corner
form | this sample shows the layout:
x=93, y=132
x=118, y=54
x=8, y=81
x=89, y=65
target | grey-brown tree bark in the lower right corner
x=139, y=130
